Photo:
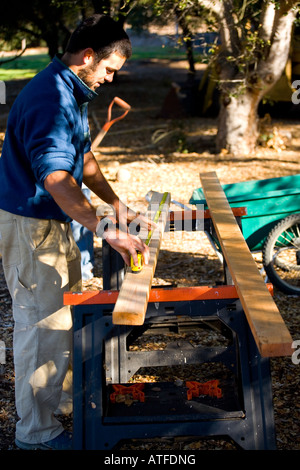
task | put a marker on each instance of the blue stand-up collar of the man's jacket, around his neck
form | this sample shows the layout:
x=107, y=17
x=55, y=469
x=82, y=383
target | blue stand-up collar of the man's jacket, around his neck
x=82, y=93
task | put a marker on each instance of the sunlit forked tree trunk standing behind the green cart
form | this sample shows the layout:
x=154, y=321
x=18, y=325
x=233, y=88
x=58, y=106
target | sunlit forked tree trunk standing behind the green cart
x=238, y=120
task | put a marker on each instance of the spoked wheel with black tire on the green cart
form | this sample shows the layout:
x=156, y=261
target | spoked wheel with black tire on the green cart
x=281, y=255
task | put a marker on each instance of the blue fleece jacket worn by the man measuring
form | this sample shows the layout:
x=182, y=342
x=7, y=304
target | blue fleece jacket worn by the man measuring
x=47, y=130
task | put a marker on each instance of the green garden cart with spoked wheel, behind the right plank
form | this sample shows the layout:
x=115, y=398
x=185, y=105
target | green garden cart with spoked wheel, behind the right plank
x=272, y=225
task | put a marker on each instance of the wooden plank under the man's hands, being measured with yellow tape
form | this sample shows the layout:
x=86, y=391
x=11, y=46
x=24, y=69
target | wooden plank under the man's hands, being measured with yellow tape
x=132, y=302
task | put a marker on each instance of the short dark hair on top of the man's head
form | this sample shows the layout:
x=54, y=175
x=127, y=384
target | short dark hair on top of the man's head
x=102, y=34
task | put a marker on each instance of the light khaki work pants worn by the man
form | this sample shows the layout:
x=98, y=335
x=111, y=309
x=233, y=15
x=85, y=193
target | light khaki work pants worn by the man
x=41, y=261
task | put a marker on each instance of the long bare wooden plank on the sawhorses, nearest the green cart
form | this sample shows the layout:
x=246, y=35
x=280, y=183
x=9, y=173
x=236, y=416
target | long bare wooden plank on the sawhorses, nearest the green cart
x=268, y=328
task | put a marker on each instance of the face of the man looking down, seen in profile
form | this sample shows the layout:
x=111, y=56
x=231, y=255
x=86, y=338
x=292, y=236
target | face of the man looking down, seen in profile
x=94, y=75
